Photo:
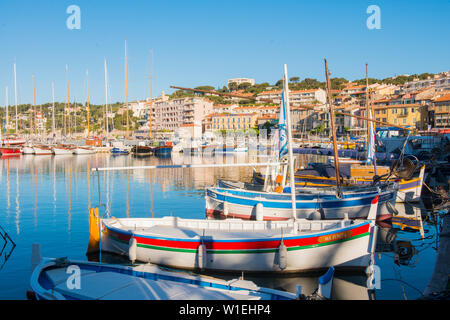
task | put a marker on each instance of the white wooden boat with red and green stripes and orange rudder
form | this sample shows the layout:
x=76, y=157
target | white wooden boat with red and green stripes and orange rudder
x=237, y=245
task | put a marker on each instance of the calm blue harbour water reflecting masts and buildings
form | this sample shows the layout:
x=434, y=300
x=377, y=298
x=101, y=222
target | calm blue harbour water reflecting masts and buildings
x=45, y=199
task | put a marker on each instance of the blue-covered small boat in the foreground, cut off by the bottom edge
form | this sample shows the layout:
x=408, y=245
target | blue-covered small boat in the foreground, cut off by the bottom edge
x=52, y=279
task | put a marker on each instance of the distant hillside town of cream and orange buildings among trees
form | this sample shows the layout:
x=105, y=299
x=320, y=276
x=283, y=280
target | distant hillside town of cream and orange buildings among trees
x=420, y=102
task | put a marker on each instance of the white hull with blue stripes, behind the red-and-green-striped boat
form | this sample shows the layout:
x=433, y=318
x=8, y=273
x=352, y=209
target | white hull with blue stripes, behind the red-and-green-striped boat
x=242, y=204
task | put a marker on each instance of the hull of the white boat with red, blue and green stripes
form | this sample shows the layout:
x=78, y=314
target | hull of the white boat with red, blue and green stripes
x=346, y=247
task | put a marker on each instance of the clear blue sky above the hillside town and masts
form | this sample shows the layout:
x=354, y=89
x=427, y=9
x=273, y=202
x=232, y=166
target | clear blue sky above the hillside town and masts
x=206, y=42
